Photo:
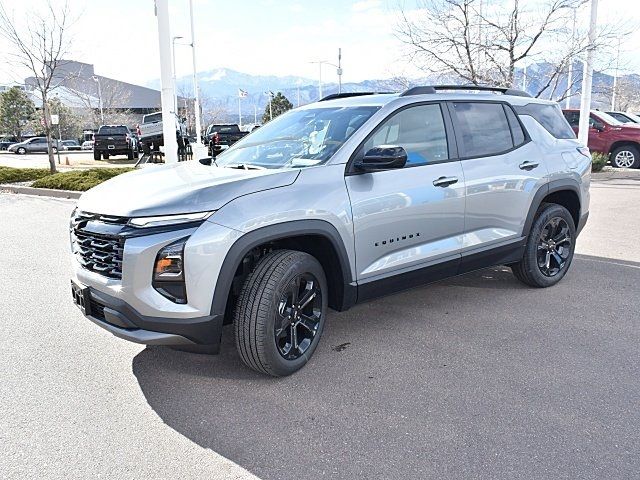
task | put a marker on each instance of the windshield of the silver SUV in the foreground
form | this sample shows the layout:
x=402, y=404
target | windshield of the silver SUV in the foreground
x=298, y=138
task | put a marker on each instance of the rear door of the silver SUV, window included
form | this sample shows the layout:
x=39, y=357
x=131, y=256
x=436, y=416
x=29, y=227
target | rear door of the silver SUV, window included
x=503, y=170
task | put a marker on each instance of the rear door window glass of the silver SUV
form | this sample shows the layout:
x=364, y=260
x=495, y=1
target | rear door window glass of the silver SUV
x=482, y=128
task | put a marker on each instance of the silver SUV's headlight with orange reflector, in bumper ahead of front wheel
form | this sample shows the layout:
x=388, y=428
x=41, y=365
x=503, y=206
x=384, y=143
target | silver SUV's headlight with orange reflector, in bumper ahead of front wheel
x=168, y=272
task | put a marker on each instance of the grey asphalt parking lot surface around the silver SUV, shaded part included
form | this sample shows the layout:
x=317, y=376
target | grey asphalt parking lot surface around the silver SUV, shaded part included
x=474, y=377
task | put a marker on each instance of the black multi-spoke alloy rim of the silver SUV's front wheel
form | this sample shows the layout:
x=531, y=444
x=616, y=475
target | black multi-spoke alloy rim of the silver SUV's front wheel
x=299, y=316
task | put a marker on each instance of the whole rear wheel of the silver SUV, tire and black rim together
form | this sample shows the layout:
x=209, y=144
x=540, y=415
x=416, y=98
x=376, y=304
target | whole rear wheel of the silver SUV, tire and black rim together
x=547, y=255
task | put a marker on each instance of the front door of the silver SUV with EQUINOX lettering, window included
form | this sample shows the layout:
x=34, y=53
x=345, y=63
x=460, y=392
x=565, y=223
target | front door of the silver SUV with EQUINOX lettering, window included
x=409, y=218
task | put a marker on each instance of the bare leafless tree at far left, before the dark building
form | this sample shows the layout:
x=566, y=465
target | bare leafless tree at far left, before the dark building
x=40, y=43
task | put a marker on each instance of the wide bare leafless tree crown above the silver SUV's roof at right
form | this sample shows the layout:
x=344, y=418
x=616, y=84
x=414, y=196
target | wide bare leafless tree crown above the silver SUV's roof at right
x=464, y=40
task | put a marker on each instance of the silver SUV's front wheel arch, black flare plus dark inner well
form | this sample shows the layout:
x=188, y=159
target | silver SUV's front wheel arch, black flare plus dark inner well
x=316, y=237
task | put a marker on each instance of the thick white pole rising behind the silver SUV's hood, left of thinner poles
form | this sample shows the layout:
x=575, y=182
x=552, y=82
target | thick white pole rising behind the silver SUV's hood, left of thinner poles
x=166, y=86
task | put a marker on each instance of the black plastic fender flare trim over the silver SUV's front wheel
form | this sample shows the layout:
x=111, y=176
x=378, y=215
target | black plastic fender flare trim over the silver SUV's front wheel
x=280, y=231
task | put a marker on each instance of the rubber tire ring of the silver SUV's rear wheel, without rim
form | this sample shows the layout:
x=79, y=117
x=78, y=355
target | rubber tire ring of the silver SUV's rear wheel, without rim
x=532, y=244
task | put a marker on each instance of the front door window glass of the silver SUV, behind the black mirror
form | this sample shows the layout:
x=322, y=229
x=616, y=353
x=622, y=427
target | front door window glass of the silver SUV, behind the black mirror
x=419, y=130
